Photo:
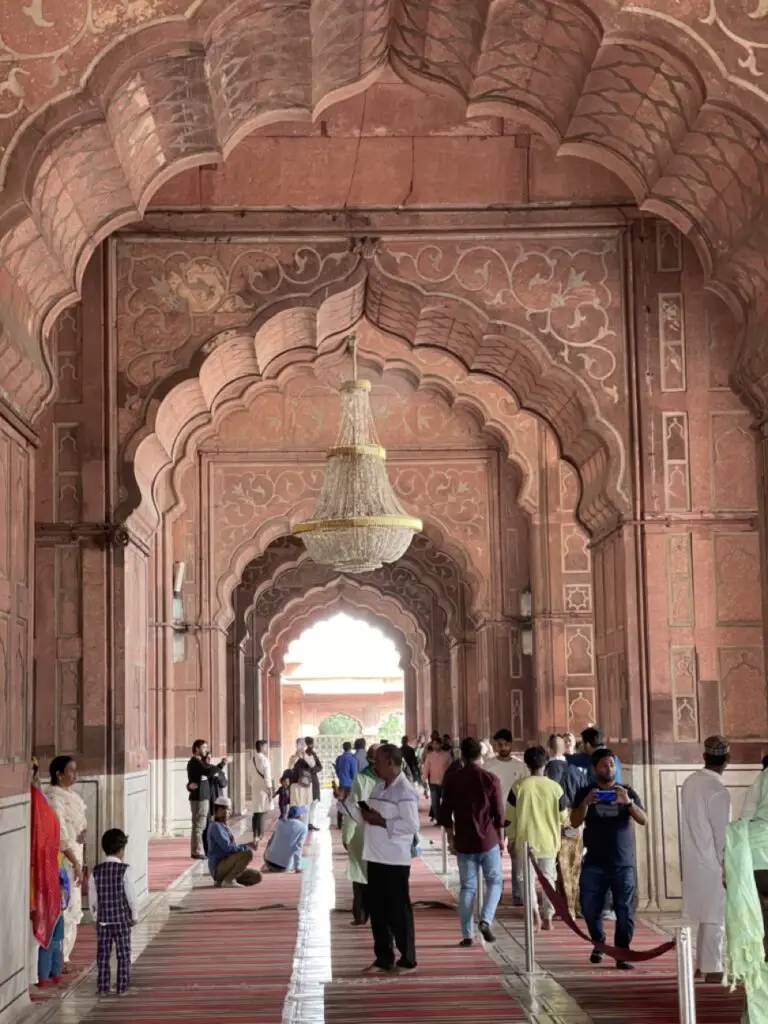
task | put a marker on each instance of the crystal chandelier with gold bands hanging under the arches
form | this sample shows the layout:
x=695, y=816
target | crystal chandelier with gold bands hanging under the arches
x=359, y=524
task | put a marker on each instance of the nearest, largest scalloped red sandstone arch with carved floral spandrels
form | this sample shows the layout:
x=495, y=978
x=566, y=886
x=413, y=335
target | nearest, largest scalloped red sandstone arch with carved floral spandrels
x=103, y=102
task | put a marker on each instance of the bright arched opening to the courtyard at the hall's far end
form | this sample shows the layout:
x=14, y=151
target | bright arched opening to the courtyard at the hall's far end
x=343, y=680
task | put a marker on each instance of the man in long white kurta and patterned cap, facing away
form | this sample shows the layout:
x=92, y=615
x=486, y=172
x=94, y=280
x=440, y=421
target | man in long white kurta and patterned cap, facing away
x=705, y=814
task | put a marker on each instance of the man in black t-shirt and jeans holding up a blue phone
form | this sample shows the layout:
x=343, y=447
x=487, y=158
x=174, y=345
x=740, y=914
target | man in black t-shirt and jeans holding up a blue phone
x=608, y=810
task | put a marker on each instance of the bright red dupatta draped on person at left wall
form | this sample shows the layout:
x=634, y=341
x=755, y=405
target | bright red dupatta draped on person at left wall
x=46, y=895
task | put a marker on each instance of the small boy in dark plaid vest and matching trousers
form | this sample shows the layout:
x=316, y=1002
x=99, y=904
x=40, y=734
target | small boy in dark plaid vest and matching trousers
x=113, y=905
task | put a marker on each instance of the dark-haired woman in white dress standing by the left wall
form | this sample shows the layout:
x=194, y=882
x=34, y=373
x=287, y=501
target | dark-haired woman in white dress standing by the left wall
x=70, y=808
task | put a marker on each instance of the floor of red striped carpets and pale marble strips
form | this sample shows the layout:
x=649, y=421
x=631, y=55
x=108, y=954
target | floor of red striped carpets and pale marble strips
x=285, y=953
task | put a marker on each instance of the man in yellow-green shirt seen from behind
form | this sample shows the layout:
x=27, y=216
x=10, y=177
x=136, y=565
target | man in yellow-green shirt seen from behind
x=537, y=813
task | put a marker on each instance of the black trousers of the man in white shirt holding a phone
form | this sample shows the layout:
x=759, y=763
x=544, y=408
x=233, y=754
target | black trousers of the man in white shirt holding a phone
x=392, y=914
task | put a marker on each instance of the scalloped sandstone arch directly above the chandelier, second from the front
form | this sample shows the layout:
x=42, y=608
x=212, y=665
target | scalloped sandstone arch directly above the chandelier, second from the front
x=485, y=354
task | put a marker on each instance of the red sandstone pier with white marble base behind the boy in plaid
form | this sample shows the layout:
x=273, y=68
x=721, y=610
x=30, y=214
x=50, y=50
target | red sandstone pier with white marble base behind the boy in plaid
x=93, y=581
